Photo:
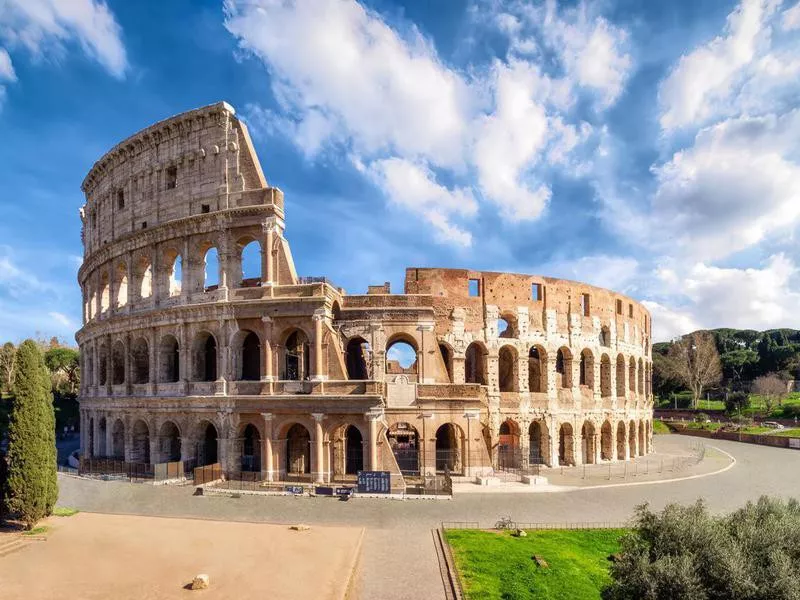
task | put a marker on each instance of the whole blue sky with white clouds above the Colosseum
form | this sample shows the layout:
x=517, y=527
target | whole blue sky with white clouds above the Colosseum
x=648, y=147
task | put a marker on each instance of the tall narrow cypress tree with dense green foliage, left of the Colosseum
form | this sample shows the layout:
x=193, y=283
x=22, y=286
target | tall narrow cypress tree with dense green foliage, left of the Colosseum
x=32, y=487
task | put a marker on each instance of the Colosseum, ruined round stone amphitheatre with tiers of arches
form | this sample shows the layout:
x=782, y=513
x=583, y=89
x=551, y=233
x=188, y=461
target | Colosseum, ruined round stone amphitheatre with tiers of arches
x=191, y=353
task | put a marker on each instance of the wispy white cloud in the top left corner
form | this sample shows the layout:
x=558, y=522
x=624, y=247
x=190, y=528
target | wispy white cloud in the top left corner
x=43, y=27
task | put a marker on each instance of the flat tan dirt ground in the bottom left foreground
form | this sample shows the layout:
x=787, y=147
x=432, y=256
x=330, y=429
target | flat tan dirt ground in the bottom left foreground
x=91, y=556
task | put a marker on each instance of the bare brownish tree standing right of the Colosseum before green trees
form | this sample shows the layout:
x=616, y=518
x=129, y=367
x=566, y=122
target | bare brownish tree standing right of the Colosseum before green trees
x=694, y=361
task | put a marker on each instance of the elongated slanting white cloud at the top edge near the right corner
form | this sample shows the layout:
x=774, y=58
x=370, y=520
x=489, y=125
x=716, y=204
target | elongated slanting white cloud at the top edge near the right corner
x=701, y=84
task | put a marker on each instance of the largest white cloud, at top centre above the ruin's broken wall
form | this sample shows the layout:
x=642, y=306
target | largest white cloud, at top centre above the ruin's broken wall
x=379, y=93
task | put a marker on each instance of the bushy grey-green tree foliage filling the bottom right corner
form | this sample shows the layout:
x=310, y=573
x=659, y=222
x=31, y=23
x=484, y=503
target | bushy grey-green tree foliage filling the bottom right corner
x=685, y=553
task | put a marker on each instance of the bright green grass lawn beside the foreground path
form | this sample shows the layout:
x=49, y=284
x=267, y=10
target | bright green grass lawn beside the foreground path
x=498, y=565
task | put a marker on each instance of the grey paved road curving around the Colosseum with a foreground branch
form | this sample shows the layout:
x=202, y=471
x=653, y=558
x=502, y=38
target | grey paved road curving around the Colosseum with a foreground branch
x=398, y=558
